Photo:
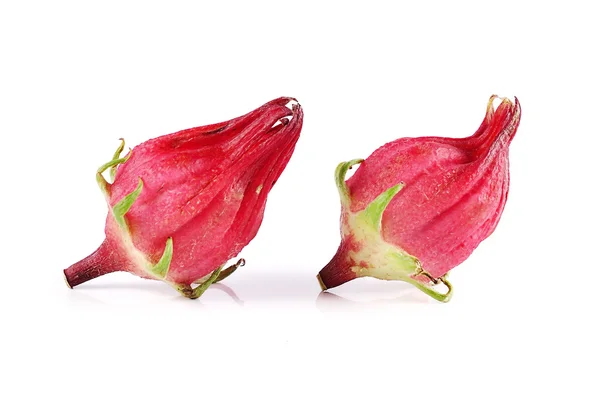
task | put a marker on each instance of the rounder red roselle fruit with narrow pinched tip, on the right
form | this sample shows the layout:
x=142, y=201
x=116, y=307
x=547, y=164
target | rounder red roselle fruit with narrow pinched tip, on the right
x=418, y=207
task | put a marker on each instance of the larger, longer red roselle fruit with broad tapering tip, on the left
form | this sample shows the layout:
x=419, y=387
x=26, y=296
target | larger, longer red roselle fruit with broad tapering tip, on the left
x=182, y=205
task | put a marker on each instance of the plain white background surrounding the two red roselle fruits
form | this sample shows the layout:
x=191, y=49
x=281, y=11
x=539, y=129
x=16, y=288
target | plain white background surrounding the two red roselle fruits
x=521, y=328
